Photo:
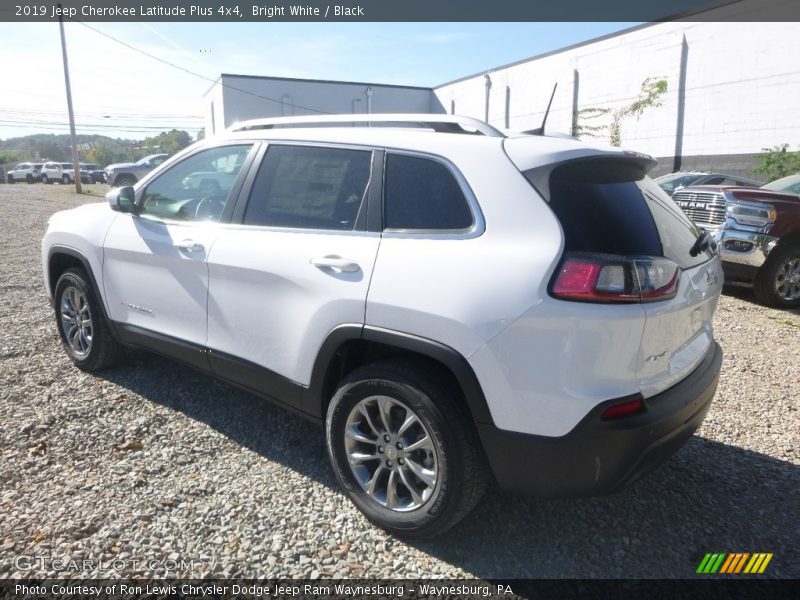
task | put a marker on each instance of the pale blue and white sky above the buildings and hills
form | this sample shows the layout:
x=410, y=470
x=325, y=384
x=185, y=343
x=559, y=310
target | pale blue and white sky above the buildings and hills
x=120, y=90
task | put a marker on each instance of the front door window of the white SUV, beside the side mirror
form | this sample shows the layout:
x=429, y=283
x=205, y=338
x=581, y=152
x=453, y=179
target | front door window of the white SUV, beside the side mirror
x=197, y=188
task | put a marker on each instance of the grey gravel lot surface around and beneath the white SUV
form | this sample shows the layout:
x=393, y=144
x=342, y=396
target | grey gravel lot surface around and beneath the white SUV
x=152, y=461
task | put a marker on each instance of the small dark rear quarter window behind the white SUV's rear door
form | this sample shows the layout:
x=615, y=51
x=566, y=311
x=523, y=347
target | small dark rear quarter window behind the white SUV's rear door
x=423, y=194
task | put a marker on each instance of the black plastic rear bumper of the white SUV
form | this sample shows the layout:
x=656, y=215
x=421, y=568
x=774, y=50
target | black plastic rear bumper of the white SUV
x=599, y=457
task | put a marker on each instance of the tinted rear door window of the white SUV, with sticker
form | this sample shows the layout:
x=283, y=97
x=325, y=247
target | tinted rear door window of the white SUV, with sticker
x=309, y=188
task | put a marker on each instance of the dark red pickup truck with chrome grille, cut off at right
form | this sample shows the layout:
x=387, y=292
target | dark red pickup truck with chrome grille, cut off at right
x=758, y=235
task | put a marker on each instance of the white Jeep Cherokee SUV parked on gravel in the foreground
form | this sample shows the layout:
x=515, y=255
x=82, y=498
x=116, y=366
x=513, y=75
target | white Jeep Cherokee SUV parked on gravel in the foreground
x=452, y=303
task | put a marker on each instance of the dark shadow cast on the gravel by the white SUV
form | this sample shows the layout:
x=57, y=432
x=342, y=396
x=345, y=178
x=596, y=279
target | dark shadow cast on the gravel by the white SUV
x=709, y=497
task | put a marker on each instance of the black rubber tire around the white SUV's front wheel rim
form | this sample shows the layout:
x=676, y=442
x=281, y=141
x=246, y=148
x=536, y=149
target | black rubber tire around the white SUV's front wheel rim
x=103, y=350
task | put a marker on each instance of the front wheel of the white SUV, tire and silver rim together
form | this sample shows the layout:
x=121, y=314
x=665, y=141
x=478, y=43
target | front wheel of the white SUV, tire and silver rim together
x=84, y=331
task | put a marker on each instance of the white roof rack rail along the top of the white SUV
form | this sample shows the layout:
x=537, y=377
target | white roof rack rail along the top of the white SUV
x=439, y=123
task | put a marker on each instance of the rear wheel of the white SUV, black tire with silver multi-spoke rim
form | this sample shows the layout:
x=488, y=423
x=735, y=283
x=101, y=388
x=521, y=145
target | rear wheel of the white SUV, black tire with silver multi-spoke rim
x=403, y=448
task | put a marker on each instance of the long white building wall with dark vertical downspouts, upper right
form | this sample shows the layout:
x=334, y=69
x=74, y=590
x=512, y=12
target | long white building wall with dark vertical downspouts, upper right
x=742, y=87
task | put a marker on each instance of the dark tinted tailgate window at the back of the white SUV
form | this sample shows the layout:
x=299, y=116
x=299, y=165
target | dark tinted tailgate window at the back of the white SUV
x=610, y=206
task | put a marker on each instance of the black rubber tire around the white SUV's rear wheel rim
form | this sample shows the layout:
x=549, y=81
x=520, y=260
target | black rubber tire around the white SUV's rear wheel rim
x=462, y=473
